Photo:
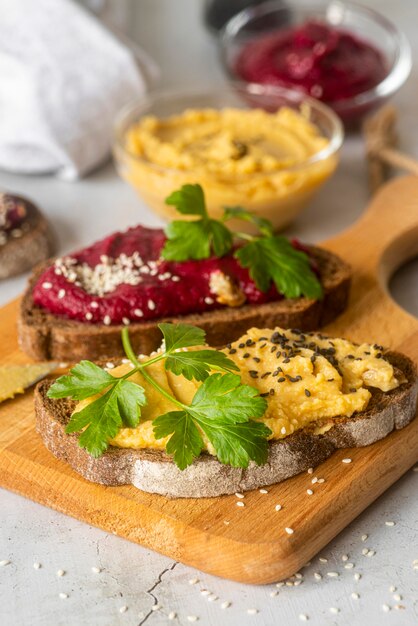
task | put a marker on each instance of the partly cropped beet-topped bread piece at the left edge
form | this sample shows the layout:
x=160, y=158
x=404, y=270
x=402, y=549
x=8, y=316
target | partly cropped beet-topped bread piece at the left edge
x=25, y=237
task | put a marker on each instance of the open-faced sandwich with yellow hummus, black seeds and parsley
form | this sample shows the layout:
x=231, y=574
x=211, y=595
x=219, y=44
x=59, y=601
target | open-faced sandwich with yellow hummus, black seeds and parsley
x=192, y=421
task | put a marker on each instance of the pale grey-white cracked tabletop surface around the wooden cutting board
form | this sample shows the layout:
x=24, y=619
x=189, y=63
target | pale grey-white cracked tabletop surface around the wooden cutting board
x=137, y=578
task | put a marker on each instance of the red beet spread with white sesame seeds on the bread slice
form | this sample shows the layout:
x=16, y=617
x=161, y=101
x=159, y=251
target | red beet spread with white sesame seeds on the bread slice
x=122, y=278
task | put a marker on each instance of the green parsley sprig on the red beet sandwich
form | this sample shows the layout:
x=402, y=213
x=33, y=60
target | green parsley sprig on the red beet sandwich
x=268, y=257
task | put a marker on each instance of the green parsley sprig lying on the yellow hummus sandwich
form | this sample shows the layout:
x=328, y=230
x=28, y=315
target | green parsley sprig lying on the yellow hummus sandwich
x=222, y=407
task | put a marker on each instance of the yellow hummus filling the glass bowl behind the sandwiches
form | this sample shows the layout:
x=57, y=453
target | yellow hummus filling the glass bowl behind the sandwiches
x=251, y=157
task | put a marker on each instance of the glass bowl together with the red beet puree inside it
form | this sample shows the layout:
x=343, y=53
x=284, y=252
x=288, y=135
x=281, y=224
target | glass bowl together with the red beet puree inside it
x=350, y=57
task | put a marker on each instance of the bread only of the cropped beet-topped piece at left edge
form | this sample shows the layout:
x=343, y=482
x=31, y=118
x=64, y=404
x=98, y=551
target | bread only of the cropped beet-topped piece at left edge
x=21, y=254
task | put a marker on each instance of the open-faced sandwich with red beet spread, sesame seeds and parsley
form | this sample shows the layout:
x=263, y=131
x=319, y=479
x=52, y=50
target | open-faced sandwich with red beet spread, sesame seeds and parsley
x=197, y=272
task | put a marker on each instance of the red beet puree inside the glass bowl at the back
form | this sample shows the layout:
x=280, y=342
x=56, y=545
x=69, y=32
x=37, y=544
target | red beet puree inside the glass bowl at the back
x=325, y=62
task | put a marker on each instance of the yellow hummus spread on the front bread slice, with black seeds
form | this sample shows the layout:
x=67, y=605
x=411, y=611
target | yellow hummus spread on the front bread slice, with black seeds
x=307, y=379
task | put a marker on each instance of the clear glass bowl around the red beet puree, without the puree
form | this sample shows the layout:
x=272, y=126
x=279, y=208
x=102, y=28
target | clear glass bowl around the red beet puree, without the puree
x=363, y=23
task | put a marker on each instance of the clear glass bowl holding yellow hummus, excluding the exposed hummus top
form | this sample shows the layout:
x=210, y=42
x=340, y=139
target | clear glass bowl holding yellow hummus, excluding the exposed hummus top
x=276, y=195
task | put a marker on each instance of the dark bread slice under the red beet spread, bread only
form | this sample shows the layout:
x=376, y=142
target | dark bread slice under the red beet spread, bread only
x=44, y=336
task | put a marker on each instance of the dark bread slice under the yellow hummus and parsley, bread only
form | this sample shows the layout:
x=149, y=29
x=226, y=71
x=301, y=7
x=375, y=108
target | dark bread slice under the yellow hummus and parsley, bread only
x=155, y=472
